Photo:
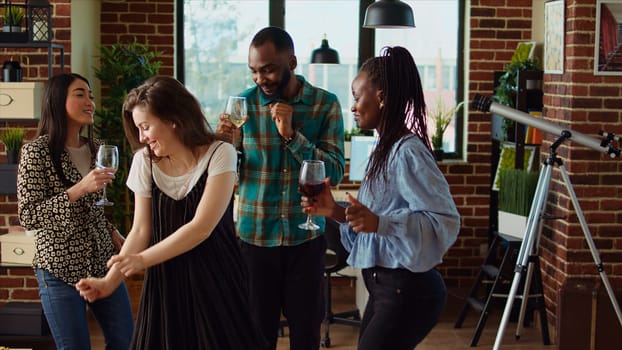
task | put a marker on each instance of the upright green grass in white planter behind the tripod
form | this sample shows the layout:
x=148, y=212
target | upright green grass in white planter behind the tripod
x=516, y=190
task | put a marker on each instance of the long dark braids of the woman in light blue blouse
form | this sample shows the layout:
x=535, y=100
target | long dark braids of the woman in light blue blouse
x=395, y=74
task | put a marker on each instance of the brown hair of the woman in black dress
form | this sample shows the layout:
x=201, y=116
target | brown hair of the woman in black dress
x=169, y=100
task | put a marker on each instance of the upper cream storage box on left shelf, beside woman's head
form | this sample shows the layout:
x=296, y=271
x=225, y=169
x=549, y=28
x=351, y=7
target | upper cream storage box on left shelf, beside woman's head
x=21, y=100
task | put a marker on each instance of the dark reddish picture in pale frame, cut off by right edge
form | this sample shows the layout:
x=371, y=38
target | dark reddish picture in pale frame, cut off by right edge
x=607, y=50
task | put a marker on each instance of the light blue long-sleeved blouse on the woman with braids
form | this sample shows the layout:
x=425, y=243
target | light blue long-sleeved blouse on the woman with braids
x=418, y=219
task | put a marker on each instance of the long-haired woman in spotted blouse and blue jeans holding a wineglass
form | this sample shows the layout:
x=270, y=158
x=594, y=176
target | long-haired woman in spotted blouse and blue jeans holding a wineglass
x=57, y=187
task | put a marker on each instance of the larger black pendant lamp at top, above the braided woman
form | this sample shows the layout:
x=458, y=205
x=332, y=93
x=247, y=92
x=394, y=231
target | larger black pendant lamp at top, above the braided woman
x=389, y=14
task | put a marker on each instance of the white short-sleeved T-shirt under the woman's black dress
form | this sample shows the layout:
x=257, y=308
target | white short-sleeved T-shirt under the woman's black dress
x=177, y=187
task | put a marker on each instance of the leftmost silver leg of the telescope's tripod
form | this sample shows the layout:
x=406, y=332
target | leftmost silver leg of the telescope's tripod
x=526, y=247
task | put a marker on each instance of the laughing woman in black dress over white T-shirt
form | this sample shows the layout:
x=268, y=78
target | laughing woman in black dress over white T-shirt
x=195, y=289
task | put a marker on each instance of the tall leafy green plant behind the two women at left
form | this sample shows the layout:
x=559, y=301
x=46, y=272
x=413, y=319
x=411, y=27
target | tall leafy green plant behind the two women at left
x=122, y=67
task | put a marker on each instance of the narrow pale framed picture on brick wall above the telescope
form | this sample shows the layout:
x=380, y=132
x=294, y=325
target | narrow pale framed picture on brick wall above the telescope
x=554, y=37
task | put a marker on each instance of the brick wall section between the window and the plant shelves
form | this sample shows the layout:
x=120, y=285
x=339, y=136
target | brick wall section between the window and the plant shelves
x=497, y=26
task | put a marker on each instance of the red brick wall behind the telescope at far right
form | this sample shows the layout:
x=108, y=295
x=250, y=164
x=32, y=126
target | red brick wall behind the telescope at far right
x=586, y=103
